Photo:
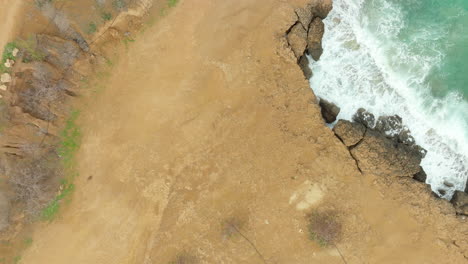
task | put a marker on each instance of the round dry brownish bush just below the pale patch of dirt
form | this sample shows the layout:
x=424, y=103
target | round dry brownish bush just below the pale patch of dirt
x=324, y=228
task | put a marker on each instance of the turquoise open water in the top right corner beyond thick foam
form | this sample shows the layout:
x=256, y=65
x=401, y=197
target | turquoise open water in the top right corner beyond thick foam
x=431, y=29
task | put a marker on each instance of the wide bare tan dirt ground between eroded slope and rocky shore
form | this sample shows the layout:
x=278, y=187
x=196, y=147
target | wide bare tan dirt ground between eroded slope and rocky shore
x=207, y=146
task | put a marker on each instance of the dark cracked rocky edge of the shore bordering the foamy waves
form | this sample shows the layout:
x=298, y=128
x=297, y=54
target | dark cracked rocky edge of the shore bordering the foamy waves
x=380, y=146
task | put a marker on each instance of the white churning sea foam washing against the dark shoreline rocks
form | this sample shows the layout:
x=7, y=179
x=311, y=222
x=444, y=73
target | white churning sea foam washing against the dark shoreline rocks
x=363, y=66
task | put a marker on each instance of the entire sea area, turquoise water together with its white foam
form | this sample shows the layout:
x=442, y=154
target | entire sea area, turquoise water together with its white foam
x=404, y=57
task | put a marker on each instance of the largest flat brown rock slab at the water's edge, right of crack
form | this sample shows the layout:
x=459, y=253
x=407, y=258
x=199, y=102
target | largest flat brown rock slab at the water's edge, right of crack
x=379, y=155
